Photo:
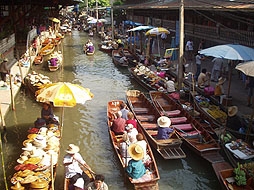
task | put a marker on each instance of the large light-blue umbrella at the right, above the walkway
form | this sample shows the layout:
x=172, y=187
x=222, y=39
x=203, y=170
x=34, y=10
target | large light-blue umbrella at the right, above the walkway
x=230, y=51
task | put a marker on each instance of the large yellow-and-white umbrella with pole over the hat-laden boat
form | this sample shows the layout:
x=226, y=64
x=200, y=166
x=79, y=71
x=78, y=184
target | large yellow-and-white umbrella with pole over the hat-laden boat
x=64, y=94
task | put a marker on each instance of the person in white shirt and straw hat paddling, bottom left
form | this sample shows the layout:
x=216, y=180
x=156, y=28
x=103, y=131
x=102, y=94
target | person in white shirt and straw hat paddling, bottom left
x=71, y=162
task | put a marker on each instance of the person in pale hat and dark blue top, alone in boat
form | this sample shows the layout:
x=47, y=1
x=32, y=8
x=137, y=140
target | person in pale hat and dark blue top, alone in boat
x=164, y=129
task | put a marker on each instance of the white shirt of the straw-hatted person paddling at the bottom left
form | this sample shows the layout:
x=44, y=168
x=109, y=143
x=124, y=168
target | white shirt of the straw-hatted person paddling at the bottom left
x=73, y=168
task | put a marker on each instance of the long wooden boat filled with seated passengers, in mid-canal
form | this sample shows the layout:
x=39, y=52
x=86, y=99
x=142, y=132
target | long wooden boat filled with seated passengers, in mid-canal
x=114, y=106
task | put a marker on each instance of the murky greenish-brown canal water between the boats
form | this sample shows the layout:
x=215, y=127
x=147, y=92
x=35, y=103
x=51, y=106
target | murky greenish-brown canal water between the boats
x=85, y=125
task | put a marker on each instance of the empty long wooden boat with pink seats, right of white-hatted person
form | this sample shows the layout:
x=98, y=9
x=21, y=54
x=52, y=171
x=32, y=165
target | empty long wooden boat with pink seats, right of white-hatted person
x=195, y=136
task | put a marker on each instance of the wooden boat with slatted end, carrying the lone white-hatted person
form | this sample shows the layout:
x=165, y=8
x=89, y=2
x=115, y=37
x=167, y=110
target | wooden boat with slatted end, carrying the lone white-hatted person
x=147, y=116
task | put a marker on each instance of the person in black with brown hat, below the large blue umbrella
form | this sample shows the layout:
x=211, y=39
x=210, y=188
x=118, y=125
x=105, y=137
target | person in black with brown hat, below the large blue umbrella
x=233, y=121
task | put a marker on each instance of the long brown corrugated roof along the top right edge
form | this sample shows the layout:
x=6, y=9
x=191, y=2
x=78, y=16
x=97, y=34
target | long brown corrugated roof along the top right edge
x=193, y=4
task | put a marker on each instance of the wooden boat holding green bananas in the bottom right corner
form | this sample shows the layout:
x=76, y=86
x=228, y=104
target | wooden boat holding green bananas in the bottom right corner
x=225, y=174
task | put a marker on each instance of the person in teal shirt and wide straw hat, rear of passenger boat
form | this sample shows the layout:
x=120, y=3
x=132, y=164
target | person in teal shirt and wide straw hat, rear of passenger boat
x=136, y=168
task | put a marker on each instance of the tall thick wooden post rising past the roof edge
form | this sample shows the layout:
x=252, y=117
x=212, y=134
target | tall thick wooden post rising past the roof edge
x=181, y=31
